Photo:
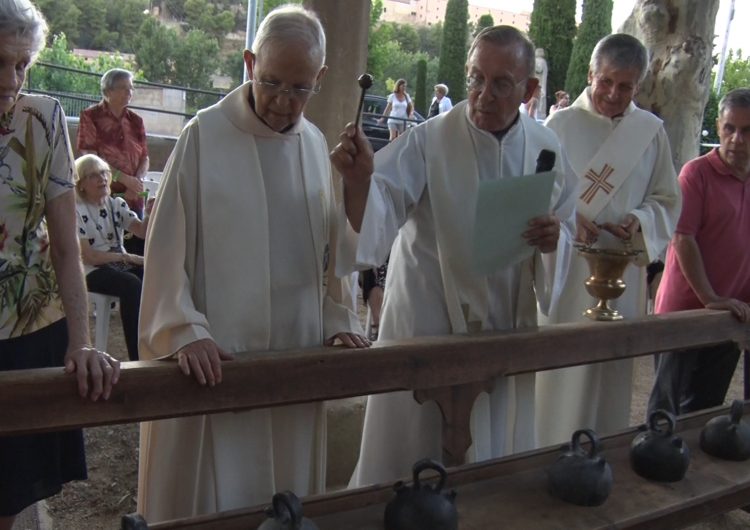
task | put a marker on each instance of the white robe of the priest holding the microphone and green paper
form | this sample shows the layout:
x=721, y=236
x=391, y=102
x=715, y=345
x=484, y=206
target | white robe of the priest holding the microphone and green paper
x=423, y=196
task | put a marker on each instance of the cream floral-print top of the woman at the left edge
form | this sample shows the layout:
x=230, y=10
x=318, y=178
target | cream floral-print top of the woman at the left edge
x=36, y=165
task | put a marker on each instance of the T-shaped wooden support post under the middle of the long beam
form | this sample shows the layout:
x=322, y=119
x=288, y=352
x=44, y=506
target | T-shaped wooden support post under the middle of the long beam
x=455, y=404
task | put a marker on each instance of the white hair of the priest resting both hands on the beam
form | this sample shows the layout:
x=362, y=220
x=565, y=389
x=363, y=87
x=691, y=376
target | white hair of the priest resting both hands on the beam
x=292, y=23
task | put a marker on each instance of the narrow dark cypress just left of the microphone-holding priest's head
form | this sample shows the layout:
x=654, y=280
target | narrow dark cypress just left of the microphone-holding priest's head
x=453, y=48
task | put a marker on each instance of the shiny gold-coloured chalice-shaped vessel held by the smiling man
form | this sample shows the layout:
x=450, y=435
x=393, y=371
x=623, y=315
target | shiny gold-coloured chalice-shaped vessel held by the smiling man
x=607, y=266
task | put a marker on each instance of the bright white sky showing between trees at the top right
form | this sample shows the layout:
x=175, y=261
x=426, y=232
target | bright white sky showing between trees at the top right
x=622, y=8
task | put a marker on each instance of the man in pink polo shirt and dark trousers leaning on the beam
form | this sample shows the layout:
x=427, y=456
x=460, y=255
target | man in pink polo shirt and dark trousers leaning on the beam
x=708, y=261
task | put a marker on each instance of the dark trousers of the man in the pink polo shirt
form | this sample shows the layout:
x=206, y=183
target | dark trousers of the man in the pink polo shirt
x=695, y=379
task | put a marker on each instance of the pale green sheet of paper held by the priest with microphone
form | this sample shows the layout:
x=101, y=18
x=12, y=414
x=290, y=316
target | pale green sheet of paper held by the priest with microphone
x=504, y=208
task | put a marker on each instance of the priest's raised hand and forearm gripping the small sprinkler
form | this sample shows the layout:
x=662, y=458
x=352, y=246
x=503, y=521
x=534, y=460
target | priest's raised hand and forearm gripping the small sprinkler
x=353, y=158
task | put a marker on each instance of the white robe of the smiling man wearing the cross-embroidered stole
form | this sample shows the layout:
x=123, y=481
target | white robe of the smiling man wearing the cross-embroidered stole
x=598, y=396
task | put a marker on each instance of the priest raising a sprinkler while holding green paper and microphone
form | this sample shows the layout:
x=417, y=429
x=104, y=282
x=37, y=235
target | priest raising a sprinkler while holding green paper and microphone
x=424, y=197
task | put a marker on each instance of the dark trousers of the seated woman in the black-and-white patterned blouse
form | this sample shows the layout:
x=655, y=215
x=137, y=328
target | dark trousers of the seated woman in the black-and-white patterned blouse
x=127, y=287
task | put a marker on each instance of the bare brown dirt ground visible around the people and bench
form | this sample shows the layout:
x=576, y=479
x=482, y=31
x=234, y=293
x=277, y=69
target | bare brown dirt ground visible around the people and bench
x=112, y=454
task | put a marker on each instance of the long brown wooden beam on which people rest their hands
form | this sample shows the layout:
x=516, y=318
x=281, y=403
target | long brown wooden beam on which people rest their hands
x=46, y=399
